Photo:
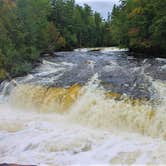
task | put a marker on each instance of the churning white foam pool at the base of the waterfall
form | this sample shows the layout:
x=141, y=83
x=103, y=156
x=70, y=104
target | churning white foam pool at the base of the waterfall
x=51, y=139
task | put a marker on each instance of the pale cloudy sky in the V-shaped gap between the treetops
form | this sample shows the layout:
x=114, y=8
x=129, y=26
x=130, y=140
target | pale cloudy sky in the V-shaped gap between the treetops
x=102, y=6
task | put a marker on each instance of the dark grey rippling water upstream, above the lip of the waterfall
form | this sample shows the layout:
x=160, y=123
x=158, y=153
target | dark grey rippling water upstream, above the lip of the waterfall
x=117, y=72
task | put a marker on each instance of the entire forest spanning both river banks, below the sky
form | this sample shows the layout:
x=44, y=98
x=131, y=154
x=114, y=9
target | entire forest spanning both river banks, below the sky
x=29, y=28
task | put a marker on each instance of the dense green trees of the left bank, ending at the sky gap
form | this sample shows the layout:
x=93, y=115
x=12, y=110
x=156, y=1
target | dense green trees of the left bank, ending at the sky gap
x=30, y=27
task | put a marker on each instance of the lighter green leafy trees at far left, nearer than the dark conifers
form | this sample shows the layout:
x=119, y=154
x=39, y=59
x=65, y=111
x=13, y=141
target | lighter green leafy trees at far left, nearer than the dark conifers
x=25, y=32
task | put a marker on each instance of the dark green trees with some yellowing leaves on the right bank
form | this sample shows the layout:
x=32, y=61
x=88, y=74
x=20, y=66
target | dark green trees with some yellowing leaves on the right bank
x=140, y=25
